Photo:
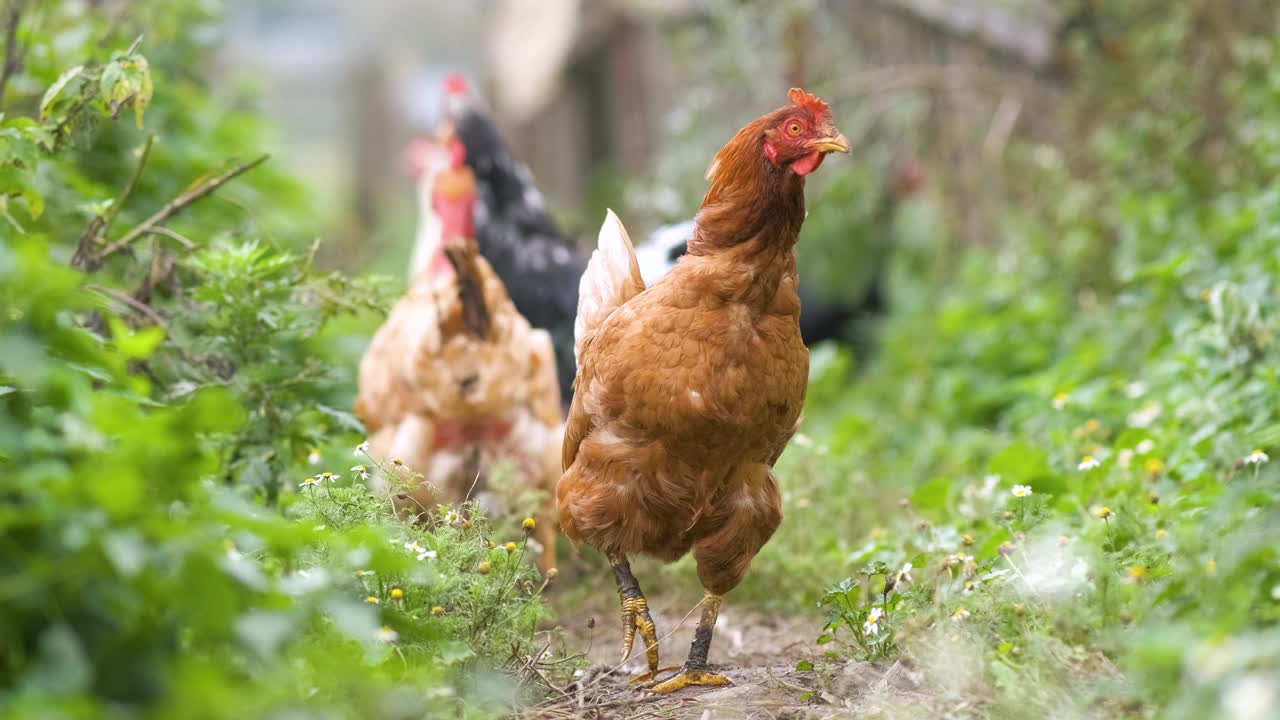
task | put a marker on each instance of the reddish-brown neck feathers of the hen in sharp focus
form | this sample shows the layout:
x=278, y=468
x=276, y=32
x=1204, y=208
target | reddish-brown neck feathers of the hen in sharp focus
x=749, y=221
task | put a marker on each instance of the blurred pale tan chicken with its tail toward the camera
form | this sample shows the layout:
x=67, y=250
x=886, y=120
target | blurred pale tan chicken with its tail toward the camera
x=456, y=381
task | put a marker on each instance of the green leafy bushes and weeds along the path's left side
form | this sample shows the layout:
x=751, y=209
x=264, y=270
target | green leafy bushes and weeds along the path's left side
x=163, y=385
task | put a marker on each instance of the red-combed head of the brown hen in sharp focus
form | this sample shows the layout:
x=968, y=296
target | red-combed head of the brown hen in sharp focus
x=799, y=136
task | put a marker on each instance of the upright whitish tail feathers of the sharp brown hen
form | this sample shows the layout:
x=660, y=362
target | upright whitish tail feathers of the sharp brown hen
x=612, y=277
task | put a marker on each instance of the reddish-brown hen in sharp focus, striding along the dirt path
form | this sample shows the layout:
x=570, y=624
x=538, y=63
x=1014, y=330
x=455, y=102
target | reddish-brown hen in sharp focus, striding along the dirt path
x=688, y=393
